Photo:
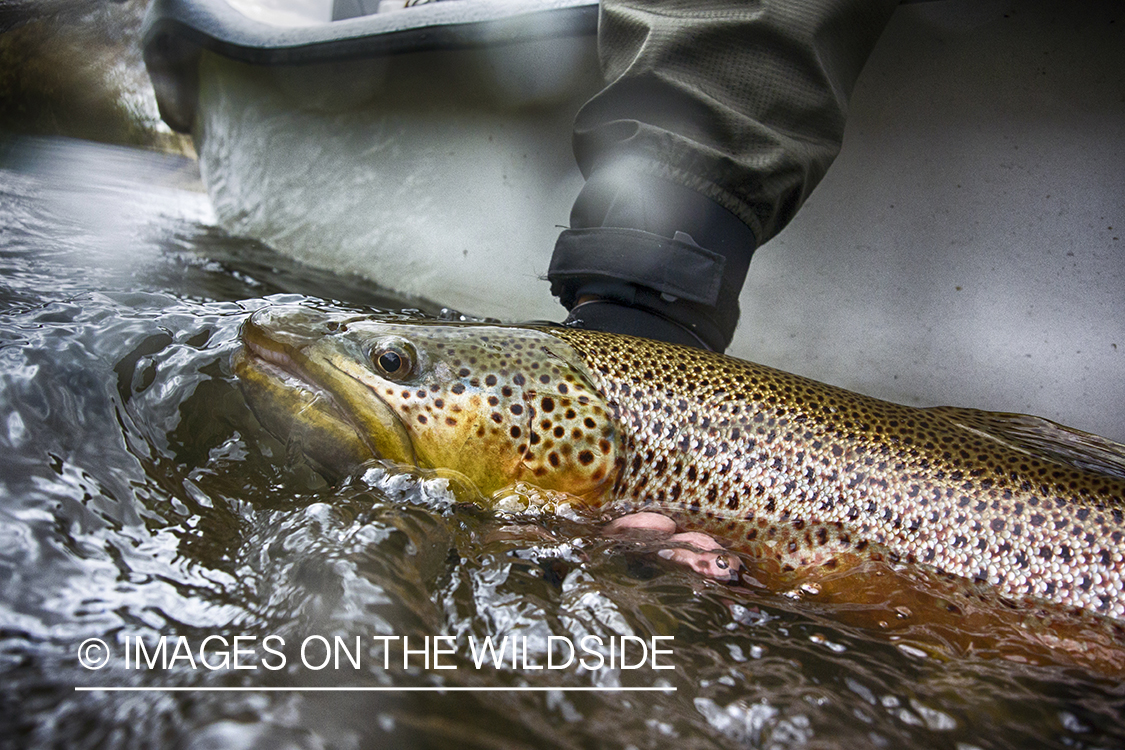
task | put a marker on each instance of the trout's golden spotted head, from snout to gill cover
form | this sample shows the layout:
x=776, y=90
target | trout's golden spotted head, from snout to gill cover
x=498, y=405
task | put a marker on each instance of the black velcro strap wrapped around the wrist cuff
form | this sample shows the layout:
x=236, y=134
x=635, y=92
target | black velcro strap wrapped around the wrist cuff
x=674, y=267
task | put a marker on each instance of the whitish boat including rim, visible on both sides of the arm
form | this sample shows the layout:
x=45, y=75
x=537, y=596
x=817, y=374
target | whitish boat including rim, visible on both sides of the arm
x=967, y=248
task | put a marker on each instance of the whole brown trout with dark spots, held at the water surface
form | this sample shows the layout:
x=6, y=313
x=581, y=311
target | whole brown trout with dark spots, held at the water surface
x=775, y=464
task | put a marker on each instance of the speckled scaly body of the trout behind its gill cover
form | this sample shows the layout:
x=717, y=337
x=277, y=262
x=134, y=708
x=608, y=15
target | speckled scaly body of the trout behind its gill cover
x=761, y=455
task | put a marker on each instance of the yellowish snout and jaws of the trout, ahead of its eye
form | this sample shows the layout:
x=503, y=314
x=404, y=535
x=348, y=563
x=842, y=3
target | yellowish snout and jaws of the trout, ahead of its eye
x=303, y=396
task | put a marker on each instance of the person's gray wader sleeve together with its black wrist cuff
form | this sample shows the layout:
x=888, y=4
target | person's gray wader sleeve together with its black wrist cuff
x=740, y=103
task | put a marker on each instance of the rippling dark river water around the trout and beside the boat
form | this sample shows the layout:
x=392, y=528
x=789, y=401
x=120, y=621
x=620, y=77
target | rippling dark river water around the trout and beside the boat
x=139, y=500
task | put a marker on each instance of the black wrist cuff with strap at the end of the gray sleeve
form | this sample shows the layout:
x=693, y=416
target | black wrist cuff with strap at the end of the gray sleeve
x=659, y=247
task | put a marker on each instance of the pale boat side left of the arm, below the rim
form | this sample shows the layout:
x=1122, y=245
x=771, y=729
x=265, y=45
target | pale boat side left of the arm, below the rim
x=440, y=175
